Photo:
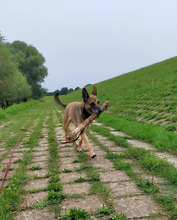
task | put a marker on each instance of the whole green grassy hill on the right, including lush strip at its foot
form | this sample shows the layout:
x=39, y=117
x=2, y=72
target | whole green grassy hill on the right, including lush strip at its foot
x=143, y=104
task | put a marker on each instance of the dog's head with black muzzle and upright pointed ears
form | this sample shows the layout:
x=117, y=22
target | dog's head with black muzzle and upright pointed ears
x=91, y=102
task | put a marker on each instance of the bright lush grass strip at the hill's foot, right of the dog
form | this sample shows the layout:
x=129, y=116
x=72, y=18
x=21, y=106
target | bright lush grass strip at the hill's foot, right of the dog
x=162, y=139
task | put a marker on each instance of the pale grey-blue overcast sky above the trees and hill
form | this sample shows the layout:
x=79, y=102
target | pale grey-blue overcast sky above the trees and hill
x=89, y=41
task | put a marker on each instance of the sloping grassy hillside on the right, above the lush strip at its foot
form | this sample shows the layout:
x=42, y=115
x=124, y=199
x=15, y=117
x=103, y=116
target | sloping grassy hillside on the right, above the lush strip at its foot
x=147, y=95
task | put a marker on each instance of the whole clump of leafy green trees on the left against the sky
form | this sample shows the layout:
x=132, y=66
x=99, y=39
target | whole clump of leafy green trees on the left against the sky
x=22, y=71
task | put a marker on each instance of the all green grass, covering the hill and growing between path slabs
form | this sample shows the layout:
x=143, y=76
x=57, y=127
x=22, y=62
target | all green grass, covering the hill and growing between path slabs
x=143, y=104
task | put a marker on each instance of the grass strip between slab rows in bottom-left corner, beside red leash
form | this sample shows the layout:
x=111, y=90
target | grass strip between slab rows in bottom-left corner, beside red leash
x=13, y=193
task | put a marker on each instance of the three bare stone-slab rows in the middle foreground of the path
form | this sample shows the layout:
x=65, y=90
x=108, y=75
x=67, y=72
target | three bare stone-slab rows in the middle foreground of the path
x=125, y=197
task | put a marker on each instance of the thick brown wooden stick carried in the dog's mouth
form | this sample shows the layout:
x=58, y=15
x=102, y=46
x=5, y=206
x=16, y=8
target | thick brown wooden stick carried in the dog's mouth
x=73, y=135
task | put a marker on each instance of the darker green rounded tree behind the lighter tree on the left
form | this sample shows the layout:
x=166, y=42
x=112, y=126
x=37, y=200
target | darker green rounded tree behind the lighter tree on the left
x=31, y=64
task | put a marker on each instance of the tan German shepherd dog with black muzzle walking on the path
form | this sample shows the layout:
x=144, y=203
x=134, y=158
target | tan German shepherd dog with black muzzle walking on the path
x=77, y=112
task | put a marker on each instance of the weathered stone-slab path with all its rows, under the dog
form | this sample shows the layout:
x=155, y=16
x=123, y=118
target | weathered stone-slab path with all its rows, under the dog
x=118, y=190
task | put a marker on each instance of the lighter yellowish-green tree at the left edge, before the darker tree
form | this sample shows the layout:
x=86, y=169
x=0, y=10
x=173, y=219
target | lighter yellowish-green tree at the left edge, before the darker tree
x=13, y=85
